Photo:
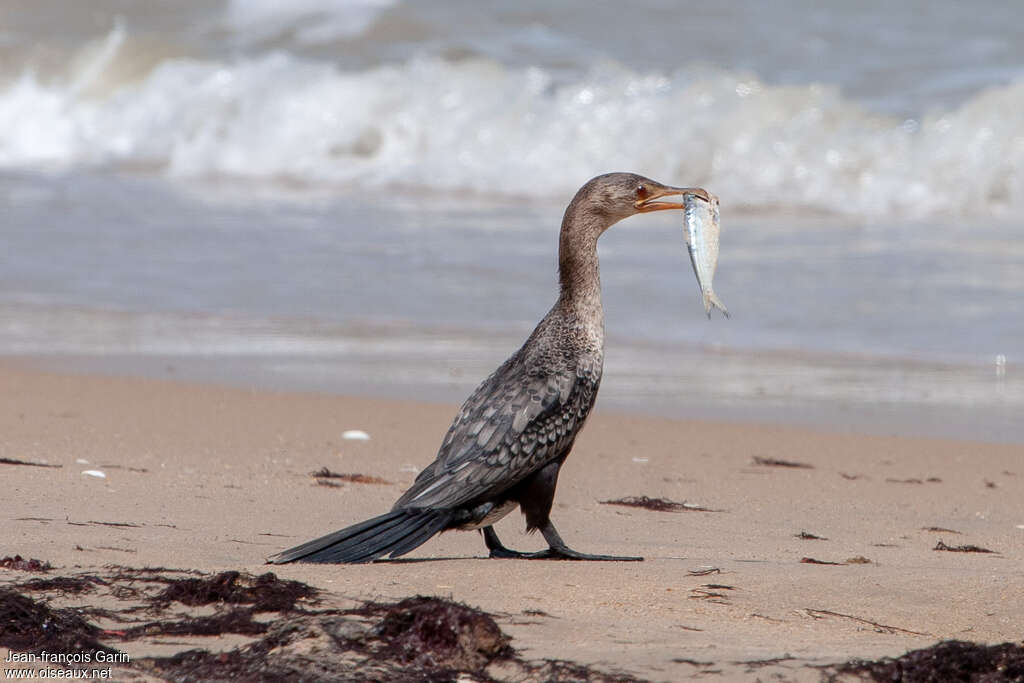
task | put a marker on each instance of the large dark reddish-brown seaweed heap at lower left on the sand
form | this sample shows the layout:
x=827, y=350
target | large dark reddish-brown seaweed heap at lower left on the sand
x=413, y=641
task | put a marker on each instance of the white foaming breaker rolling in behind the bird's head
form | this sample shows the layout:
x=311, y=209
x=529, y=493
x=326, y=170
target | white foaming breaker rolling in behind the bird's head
x=476, y=125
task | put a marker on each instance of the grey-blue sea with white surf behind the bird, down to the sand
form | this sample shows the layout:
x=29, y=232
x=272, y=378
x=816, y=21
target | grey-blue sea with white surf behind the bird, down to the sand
x=365, y=197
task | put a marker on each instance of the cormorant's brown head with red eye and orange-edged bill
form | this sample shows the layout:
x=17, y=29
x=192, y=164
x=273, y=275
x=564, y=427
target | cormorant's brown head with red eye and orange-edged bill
x=616, y=196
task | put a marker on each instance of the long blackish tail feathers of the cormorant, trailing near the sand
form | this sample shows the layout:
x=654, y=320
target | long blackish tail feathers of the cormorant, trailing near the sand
x=396, y=533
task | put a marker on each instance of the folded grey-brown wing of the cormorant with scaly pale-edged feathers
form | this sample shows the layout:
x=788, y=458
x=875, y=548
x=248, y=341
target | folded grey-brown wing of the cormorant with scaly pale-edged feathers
x=514, y=424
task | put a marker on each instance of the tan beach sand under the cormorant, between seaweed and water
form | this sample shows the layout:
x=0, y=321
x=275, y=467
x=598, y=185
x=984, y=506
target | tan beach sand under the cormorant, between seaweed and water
x=214, y=479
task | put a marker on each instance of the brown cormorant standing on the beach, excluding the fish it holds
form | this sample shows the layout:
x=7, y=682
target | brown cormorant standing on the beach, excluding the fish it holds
x=511, y=437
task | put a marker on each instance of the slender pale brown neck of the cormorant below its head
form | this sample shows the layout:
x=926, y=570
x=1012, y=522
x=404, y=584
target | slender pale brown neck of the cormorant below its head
x=579, y=270
